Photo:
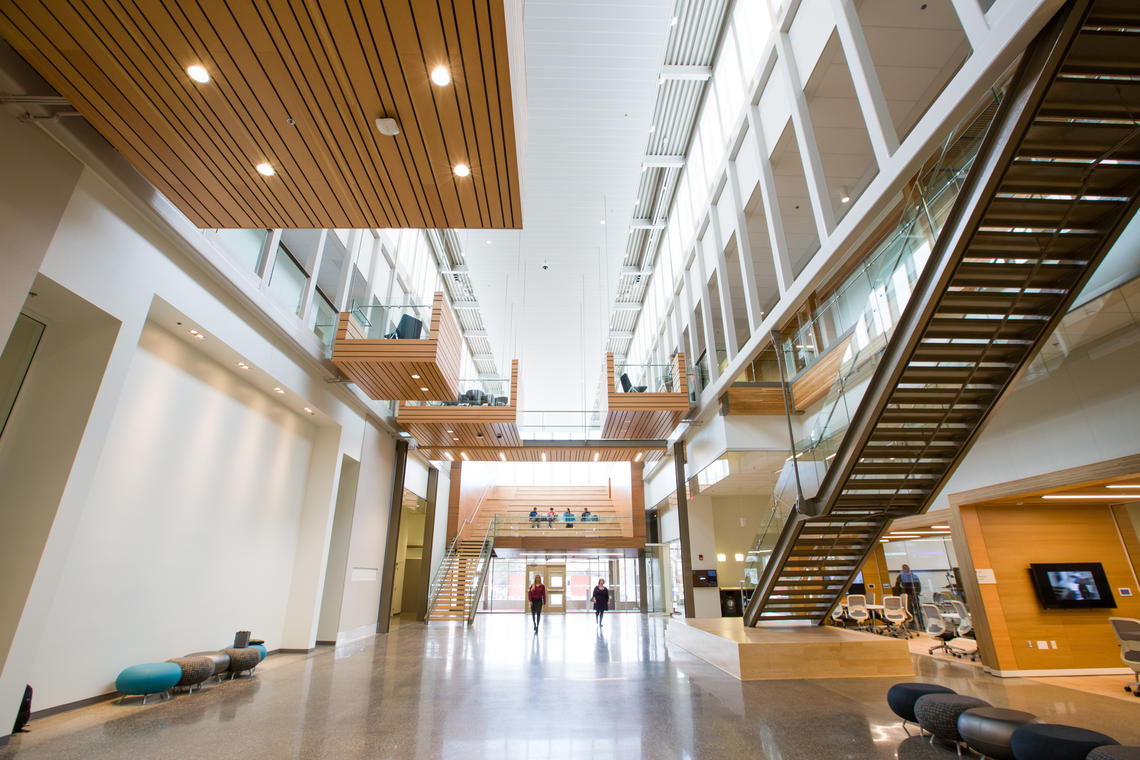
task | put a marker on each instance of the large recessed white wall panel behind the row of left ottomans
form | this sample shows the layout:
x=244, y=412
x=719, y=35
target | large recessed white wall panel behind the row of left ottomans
x=186, y=533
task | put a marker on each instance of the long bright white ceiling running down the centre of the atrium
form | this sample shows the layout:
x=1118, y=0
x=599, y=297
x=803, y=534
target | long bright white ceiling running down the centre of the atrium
x=592, y=70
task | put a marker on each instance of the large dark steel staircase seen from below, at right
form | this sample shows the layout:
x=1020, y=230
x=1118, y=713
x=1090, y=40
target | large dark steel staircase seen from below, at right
x=1056, y=179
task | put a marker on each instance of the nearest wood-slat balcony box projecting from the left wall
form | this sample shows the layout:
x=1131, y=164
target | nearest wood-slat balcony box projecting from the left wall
x=384, y=369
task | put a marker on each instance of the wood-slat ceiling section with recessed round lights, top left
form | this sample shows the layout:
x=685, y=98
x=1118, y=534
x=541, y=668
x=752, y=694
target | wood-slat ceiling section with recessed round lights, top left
x=298, y=85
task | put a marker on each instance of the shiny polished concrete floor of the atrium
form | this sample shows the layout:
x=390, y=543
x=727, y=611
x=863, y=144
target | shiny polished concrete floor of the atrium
x=498, y=691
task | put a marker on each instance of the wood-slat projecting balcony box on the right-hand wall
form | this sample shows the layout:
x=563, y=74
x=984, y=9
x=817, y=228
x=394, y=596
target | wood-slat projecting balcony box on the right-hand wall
x=649, y=415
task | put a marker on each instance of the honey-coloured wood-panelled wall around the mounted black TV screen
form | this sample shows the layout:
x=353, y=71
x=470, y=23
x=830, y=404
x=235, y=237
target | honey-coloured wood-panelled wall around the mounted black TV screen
x=1009, y=538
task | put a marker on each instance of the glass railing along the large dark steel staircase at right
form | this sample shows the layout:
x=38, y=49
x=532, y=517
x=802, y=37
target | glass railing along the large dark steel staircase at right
x=865, y=313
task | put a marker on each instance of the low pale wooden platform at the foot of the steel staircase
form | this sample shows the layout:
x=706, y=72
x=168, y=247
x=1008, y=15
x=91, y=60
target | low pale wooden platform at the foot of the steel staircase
x=771, y=653
